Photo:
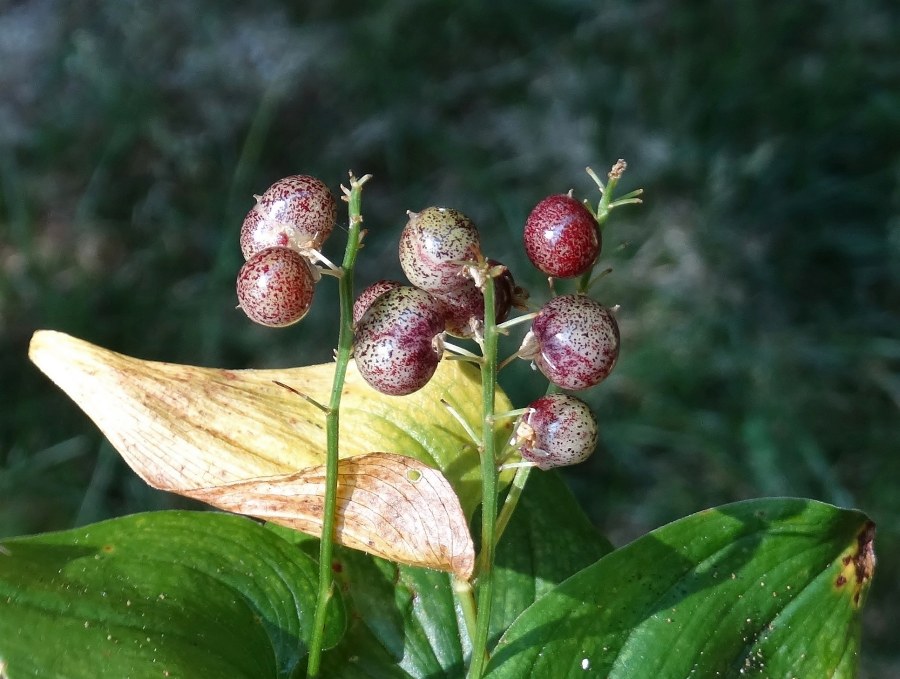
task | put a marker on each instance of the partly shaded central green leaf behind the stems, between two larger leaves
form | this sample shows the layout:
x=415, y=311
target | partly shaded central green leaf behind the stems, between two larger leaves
x=405, y=622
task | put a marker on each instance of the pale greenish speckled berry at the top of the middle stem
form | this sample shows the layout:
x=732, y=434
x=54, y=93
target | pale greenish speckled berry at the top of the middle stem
x=432, y=245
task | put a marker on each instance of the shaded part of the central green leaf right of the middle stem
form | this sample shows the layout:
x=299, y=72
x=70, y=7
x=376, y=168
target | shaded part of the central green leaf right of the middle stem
x=549, y=539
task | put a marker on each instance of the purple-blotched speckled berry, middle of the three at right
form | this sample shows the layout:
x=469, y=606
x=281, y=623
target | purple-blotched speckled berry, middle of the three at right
x=574, y=341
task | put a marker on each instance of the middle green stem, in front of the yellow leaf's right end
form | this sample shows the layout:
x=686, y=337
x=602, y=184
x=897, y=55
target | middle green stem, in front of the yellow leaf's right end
x=488, y=485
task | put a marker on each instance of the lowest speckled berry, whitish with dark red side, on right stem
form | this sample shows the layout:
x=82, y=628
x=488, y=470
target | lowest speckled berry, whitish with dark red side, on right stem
x=558, y=430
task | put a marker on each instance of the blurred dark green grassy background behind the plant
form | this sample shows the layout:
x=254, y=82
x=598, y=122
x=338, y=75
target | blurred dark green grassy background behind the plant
x=759, y=283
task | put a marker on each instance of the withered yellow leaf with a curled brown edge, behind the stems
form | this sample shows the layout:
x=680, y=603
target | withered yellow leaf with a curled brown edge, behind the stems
x=217, y=434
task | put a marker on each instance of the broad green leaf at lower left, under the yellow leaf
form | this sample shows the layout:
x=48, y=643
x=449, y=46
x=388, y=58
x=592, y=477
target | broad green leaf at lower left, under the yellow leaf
x=190, y=594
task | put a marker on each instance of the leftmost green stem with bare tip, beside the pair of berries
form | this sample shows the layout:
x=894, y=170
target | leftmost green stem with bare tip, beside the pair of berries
x=332, y=421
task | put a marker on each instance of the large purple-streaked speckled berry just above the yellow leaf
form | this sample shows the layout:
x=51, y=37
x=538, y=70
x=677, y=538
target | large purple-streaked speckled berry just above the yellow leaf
x=398, y=341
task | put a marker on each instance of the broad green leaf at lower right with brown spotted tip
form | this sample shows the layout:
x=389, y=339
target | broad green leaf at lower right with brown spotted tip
x=769, y=587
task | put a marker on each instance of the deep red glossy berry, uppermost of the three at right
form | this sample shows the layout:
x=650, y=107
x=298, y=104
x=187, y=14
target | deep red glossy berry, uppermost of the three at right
x=561, y=237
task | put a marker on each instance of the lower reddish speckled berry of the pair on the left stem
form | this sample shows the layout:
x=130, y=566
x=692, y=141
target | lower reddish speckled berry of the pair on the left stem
x=275, y=287
